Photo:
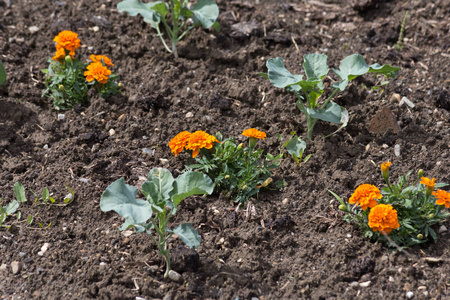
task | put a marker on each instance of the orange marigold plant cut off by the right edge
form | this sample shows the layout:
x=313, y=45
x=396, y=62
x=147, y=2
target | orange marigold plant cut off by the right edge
x=407, y=211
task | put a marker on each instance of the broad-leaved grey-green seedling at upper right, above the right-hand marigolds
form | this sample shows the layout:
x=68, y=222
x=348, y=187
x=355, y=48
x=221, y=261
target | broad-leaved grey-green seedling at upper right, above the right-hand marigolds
x=309, y=90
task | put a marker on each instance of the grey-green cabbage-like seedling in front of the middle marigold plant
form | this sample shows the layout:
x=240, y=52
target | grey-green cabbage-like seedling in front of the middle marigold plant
x=162, y=194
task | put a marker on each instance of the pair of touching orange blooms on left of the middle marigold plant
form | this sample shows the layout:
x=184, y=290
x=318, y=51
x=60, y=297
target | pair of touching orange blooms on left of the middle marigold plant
x=192, y=141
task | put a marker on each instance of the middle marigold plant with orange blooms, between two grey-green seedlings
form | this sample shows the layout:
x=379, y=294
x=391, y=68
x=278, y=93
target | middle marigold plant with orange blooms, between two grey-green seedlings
x=239, y=172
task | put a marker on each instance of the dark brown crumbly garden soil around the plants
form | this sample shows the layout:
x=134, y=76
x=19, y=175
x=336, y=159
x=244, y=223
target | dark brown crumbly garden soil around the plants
x=286, y=244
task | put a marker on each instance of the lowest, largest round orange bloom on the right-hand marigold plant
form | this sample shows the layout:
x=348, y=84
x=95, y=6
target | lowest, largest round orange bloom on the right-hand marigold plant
x=383, y=217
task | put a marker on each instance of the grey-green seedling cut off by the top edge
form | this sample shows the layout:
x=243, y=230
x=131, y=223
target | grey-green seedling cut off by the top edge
x=203, y=12
